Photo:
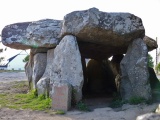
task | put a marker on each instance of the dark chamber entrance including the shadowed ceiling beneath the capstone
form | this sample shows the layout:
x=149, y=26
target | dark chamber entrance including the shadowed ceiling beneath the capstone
x=100, y=71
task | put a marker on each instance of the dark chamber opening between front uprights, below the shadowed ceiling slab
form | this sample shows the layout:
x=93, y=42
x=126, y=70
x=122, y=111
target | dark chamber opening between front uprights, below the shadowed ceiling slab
x=100, y=86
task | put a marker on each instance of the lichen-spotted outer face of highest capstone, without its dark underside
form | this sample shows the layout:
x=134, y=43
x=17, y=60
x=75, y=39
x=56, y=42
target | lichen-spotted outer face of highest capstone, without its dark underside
x=79, y=22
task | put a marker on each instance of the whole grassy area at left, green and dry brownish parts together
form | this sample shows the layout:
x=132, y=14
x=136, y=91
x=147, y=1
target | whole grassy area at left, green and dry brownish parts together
x=18, y=98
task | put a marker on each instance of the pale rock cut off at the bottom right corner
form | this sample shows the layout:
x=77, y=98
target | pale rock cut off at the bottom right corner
x=149, y=116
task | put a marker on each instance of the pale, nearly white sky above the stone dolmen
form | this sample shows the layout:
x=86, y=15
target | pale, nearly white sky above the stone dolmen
x=13, y=11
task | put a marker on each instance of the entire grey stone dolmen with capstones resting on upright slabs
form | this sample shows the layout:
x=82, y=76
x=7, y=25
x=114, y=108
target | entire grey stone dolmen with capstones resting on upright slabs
x=59, y=49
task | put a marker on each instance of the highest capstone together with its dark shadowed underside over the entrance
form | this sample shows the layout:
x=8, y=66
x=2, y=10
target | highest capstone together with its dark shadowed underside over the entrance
x=95, y=29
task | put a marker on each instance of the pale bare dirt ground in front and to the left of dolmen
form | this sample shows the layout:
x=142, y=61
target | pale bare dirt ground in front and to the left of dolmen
x=100, y=109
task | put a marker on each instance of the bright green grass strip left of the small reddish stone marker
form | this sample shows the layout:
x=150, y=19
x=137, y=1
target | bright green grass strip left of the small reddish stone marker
x=25, y=101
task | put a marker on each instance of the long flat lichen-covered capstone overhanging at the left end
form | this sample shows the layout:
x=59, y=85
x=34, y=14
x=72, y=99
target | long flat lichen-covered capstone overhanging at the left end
x=42, y=33
